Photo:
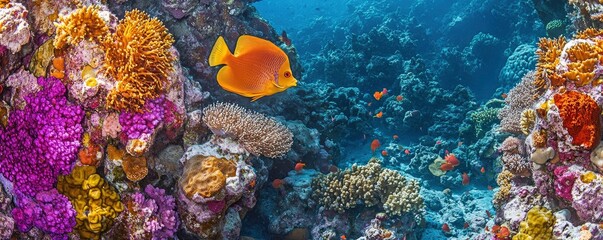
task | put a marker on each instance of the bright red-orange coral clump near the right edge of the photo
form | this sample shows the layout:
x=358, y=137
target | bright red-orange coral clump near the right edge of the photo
x=581, y=118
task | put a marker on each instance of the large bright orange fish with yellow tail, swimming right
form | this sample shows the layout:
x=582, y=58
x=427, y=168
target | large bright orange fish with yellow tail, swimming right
x=257, y=68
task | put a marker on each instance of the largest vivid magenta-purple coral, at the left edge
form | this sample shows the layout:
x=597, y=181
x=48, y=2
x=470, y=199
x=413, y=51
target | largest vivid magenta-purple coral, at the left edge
x=41, y=141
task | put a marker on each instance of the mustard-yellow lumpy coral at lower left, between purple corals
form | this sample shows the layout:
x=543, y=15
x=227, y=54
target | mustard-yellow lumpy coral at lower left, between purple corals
x=96, y=202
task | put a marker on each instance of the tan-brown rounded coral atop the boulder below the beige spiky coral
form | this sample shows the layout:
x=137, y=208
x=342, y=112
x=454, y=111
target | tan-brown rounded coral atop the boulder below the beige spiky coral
x=206, y=176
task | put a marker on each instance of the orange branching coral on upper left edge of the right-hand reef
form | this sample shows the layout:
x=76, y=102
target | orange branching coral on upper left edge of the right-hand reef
x=548, y=57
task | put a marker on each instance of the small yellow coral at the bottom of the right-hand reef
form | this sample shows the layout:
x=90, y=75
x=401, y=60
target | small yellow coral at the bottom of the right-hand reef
x=537, y=225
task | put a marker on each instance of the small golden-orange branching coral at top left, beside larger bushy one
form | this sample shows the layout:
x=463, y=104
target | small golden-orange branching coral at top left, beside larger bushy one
x=82, y=24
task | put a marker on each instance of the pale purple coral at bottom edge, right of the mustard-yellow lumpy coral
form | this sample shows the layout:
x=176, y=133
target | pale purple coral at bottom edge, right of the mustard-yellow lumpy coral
x=156, y=215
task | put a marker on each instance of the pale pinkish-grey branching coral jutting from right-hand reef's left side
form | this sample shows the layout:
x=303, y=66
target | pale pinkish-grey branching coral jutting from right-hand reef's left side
x=518, y=99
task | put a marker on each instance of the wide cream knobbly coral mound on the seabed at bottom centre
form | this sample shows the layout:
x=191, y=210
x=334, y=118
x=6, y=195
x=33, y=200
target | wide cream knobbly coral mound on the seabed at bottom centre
x=370, y=185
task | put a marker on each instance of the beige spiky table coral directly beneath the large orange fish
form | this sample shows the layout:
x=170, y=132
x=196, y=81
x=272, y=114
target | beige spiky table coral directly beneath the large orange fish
x=257, y=133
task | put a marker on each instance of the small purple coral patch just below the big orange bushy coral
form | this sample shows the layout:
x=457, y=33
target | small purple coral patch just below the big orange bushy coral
x=135, y=125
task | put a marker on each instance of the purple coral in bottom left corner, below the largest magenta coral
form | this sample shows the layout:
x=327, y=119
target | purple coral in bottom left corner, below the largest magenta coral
x=50, y=211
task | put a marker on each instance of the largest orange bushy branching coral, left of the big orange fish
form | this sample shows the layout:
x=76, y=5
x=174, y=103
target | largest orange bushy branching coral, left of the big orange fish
x=137, y=55
